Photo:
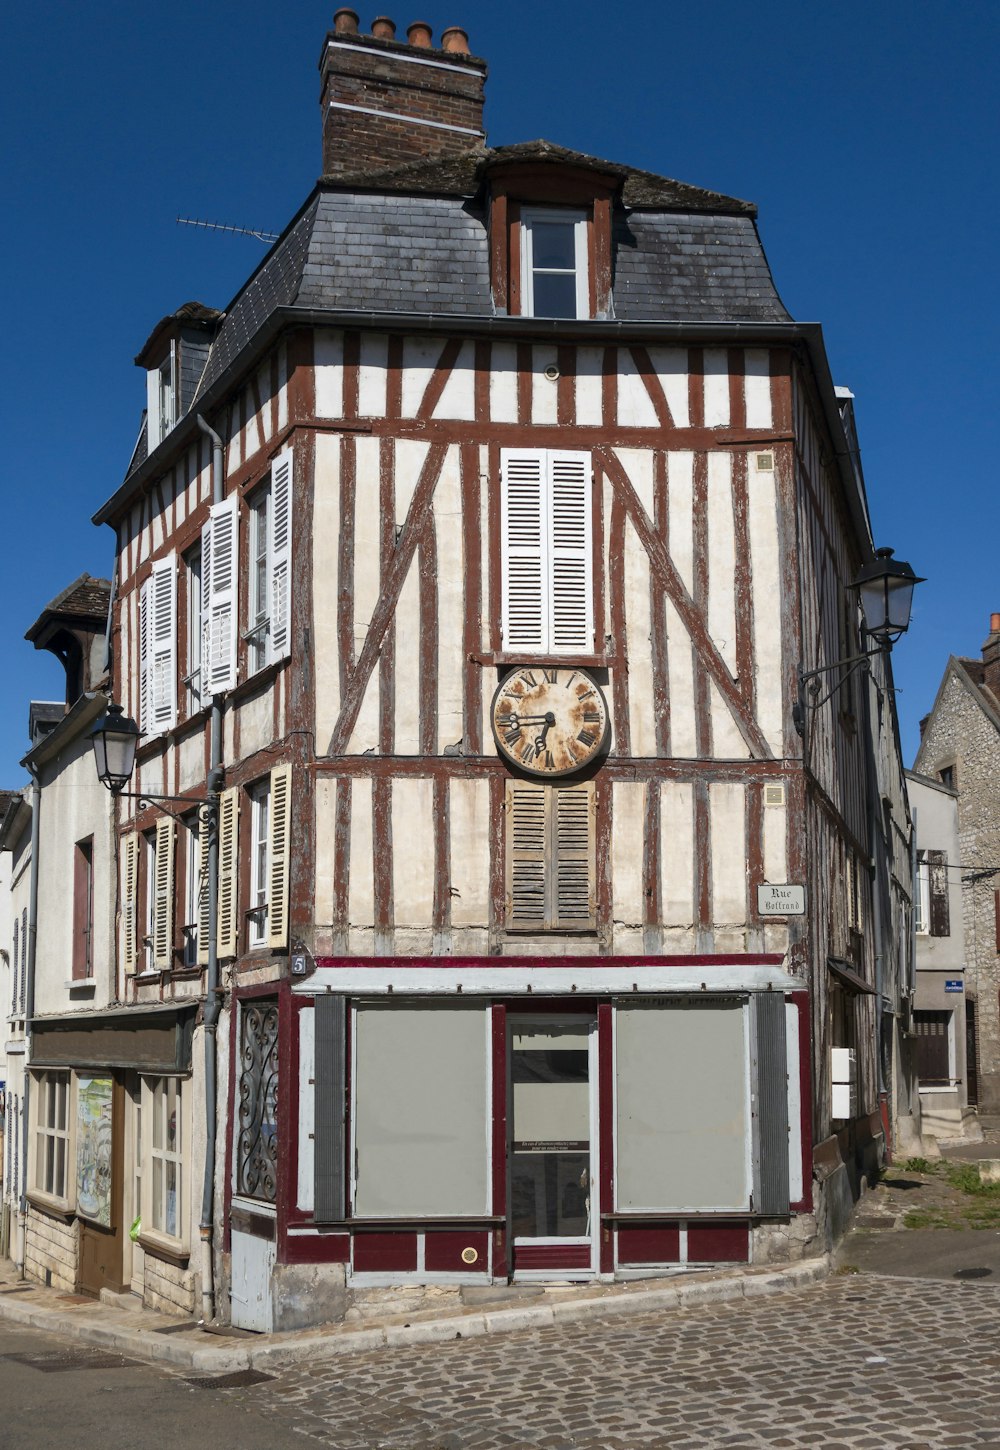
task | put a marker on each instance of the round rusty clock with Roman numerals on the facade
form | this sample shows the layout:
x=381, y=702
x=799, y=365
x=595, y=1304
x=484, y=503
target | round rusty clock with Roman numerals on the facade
x=550, y=721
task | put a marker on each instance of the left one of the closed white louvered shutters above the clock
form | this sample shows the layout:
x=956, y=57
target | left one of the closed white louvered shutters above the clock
x=524, y=555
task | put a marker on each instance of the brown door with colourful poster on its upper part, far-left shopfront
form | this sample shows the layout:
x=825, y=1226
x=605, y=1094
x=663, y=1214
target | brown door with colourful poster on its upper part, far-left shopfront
x=101, y=1177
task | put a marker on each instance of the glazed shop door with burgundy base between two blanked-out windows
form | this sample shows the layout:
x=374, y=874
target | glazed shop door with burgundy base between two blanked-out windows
x=553, y=1146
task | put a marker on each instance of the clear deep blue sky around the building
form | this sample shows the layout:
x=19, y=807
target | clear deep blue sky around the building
x=864, y=133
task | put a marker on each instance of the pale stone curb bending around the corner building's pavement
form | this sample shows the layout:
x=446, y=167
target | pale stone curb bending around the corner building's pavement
x=156, y=1348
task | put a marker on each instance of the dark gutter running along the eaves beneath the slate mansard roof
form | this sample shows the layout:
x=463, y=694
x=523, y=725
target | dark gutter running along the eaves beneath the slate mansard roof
x=808, y=334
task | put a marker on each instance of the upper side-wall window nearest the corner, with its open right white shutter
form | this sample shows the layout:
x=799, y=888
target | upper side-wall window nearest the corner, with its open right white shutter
x=269, y=636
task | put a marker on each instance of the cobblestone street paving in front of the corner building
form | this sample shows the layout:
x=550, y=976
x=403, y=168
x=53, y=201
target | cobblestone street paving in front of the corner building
x=857, y=1361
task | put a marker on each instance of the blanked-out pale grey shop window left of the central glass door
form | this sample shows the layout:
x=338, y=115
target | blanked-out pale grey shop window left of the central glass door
x=421, y=1111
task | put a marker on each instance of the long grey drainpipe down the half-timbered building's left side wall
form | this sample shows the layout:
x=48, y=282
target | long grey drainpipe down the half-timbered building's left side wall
x=212, y=1006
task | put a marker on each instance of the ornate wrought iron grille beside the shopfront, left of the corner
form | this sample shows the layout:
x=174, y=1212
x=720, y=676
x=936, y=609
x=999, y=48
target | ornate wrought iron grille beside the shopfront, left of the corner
x=257, y=1161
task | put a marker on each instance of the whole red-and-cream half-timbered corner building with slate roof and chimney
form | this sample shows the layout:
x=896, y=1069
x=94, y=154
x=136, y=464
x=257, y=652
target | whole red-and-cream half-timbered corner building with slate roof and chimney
x=472, y=553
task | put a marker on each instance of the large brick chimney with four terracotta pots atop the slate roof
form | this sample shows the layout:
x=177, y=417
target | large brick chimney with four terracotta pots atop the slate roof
x=388, y=102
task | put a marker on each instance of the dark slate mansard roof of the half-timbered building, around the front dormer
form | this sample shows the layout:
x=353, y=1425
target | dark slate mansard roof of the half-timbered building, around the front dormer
x=415, y=240
